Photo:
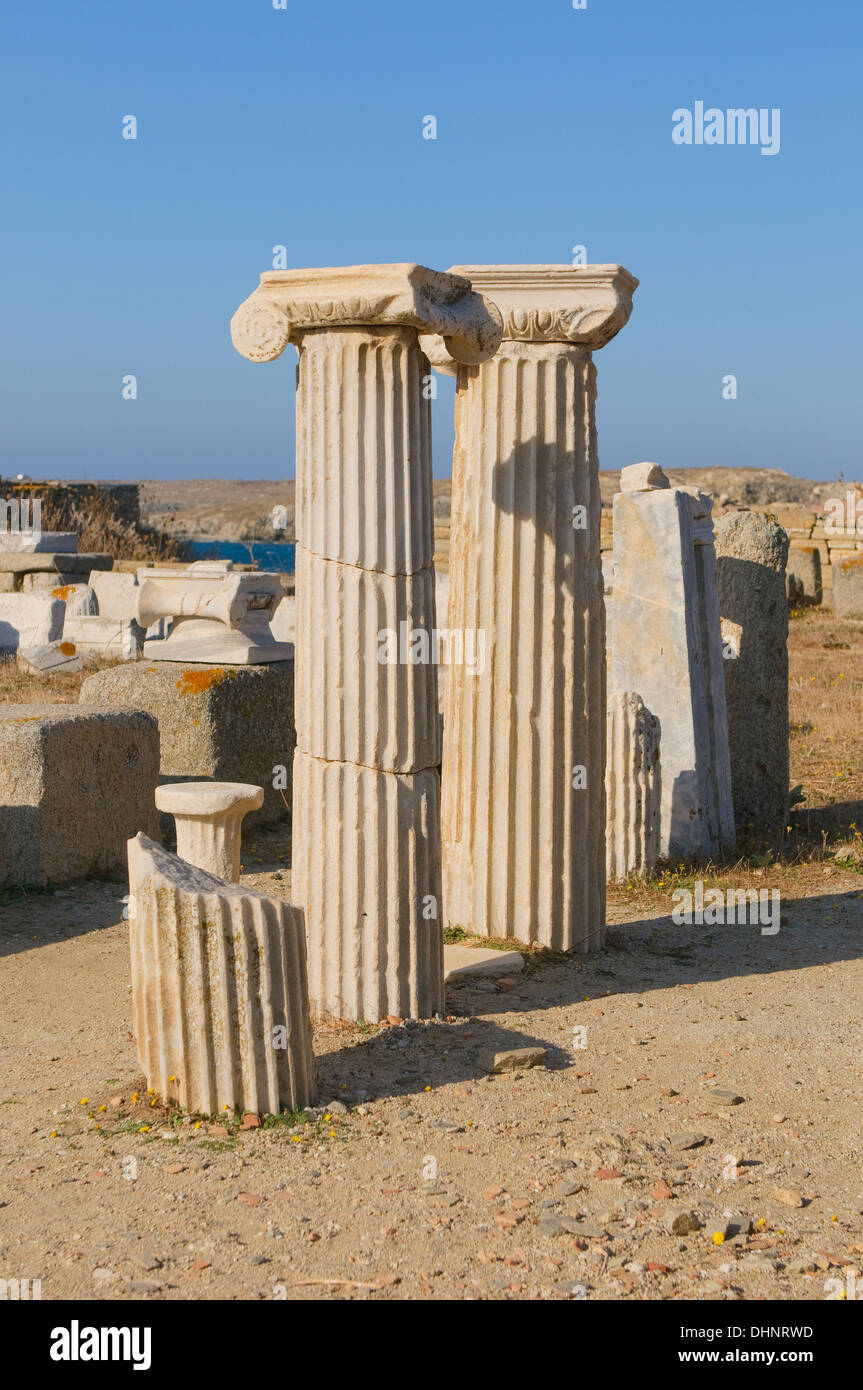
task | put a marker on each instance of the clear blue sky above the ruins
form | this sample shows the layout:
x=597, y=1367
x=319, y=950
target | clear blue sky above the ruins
x=304, y=127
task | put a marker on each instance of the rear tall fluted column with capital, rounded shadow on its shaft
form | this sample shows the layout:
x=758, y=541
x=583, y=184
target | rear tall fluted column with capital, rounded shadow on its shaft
x=523, y=797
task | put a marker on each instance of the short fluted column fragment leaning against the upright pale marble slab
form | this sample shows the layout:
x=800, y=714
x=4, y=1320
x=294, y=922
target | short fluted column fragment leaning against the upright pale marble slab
x=633, y=787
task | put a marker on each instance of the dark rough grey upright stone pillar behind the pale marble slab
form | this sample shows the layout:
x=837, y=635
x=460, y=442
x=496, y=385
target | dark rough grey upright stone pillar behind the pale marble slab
x=751, y=554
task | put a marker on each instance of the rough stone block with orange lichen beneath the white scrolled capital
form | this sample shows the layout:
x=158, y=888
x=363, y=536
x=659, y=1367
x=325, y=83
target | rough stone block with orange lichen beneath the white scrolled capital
x=224, y=723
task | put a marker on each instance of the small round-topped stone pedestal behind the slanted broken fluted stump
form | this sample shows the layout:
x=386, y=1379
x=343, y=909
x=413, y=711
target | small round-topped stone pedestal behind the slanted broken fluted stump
x=209, y=818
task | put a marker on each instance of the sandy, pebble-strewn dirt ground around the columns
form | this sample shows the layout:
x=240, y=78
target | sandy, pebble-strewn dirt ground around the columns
x=612, y=1172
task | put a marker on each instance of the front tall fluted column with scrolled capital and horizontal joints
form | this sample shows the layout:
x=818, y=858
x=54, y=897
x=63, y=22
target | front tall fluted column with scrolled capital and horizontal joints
x=366, y=789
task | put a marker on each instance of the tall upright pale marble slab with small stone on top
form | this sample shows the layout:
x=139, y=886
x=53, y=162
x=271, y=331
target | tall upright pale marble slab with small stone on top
x=666, y=644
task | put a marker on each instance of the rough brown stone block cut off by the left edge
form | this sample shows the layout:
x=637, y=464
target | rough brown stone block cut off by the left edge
x=76, y=783
